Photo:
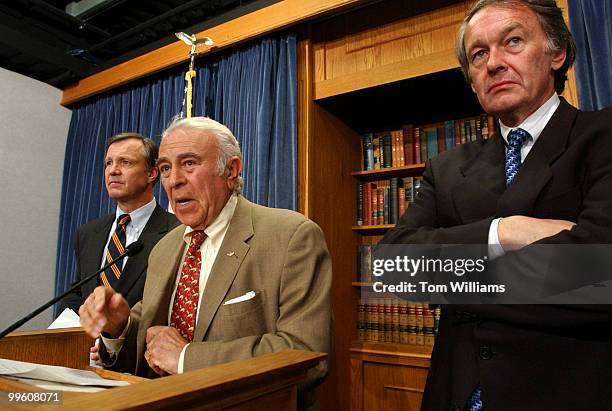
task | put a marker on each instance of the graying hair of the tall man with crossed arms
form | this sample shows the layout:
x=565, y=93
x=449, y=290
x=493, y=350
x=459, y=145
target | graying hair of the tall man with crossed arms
x=551, y=19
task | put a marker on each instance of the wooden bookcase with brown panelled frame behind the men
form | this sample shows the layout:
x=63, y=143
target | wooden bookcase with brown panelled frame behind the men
x=372, y=68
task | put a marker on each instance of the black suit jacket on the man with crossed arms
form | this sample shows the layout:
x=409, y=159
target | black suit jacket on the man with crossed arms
x=540, y=357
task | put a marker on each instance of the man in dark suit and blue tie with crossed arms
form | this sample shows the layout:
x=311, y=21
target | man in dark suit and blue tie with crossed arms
x=546, y=179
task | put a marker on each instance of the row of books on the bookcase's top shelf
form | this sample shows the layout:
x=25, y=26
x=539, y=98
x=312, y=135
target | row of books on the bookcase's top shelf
x=414, y=145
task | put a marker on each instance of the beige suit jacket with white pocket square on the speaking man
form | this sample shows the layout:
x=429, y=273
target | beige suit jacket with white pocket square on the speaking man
x=280, y=255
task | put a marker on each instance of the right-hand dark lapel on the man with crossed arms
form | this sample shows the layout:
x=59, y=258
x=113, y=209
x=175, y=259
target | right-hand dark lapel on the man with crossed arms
x=535, y=172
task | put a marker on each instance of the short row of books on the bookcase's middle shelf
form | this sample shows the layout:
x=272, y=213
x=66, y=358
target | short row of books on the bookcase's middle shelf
x=384, y=201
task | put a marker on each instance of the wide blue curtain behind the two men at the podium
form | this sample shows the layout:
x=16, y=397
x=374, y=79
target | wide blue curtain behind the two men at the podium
x=252, y=90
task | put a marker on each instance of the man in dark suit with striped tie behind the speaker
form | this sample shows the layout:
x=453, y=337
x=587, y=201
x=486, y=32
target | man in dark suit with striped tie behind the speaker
x=130, y=173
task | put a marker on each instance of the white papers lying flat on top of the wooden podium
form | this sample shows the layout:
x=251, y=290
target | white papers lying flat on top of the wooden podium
x=54, y=373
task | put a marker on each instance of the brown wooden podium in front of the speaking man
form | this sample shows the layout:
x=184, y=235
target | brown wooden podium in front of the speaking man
x=265, y=382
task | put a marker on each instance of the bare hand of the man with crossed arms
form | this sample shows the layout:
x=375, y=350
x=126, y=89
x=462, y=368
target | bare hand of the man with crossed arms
x=517, y=231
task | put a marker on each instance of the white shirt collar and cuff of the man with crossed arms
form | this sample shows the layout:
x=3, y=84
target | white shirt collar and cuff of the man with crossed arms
x=534, y=124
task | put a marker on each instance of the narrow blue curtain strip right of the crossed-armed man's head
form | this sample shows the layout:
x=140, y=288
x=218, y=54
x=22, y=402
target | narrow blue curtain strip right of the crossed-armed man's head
x=591, y=25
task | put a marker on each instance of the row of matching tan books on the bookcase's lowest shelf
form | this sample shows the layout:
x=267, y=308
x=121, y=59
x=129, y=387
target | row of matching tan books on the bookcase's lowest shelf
x=392, y=320
